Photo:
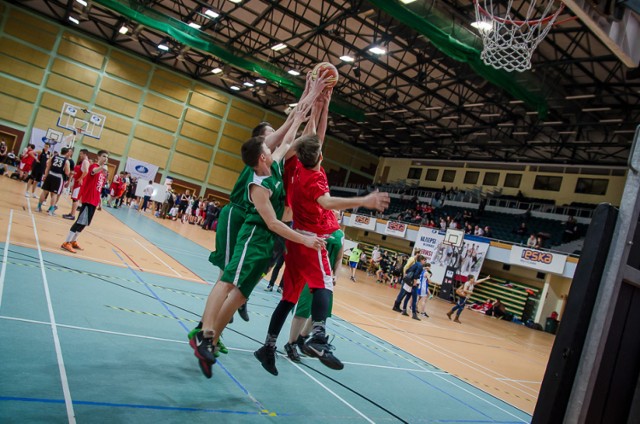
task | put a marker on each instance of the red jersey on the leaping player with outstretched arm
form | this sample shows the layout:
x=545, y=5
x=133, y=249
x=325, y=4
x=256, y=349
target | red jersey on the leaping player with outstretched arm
x=305, y=186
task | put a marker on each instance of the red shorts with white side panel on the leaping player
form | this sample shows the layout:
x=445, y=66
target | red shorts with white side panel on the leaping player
x=305, y=265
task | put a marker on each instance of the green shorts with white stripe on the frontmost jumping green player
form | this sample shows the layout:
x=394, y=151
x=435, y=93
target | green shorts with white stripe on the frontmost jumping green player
x=250, y=258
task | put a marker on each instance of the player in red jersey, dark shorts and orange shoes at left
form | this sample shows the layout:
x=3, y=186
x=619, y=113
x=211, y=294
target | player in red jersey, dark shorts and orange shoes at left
x=90, y=198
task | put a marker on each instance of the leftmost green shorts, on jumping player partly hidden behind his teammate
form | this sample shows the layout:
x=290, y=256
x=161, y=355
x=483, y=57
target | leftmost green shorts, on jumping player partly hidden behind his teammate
x=230, y=221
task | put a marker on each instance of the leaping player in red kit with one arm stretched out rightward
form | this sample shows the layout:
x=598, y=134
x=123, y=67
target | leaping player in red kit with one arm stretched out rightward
x=308, y=195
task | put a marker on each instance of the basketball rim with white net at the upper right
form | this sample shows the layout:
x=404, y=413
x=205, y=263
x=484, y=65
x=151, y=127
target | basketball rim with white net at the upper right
x=509, y=42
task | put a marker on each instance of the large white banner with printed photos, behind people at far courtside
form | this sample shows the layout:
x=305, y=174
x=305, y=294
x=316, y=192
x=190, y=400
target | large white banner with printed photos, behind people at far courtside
x=468, y=260
